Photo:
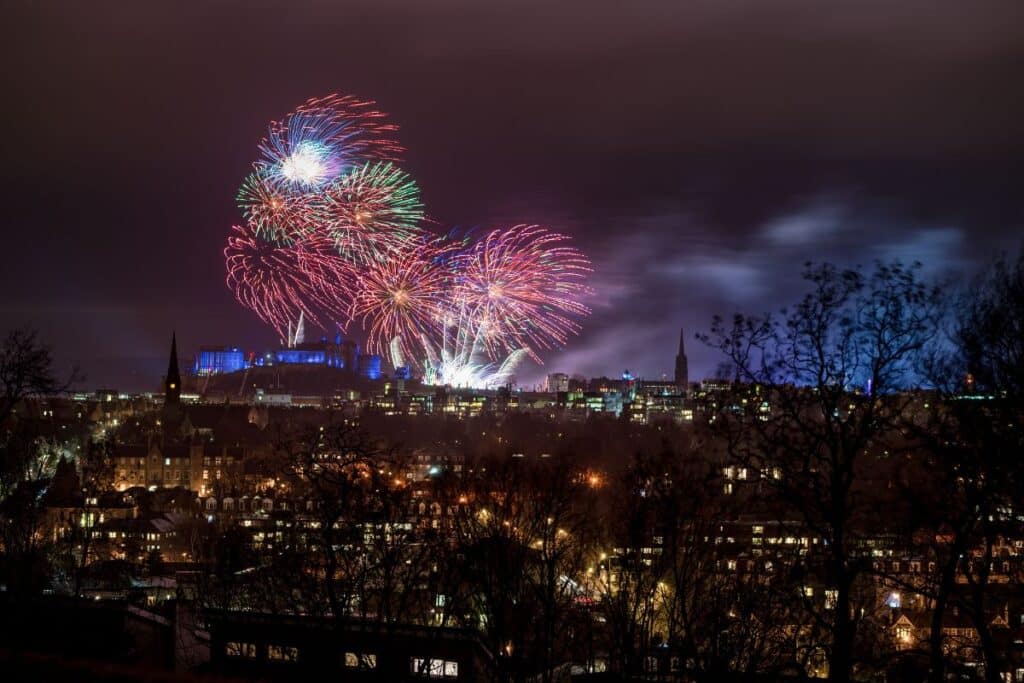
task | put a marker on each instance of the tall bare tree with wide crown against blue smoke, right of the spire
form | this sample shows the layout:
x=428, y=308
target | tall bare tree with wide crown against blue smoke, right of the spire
x=822, y=397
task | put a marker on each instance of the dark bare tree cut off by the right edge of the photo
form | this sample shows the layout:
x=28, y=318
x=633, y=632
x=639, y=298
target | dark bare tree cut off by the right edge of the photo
x=971, y=442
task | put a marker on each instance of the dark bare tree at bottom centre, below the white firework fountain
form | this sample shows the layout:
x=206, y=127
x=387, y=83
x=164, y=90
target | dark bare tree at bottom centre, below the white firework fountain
x=522, y=534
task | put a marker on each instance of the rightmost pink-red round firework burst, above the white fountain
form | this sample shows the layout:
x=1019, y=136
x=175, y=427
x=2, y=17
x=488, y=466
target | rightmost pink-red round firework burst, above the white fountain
x=523, y=287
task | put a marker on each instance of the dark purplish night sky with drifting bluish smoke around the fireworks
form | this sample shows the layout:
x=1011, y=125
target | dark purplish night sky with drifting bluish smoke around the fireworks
x=699, y=152
